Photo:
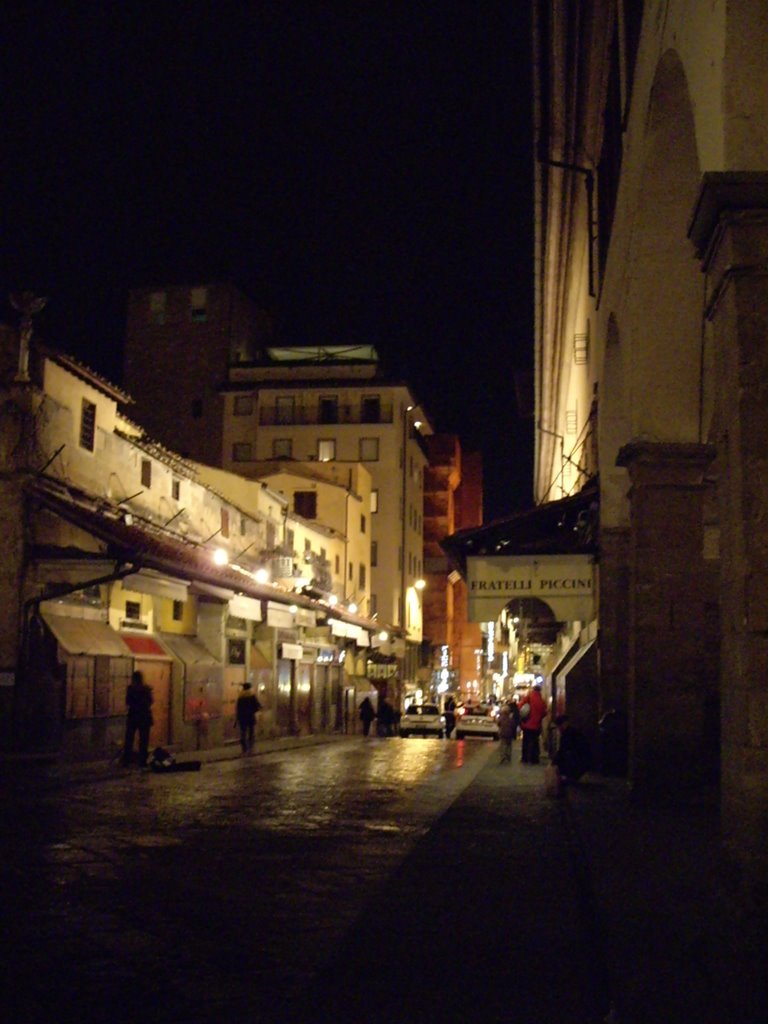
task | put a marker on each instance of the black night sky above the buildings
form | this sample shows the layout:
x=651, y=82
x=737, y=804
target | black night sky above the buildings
x=363, y=169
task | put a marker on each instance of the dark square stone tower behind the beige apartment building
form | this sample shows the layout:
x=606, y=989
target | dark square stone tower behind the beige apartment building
x=180, y=342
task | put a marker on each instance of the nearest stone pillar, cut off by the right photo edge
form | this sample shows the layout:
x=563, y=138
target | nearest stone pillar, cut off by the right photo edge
x=730, y=229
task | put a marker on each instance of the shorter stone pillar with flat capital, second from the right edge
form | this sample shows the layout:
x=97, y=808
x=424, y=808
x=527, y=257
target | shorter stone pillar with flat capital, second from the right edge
x=672, y=667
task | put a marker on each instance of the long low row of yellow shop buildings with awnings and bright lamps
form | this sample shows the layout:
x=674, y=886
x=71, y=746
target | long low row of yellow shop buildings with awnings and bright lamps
x=120, y=557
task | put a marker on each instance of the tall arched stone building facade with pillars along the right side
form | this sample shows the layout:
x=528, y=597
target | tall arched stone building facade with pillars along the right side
x=652, y=334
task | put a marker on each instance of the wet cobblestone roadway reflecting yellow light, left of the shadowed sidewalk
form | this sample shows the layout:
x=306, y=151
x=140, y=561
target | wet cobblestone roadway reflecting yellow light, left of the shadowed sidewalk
x=186, y=897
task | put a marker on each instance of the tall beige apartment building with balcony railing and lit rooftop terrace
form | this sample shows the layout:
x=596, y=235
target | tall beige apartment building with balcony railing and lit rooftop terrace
x=334, y=407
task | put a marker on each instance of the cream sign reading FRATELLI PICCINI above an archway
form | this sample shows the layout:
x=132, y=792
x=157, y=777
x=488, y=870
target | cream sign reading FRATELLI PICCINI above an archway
x=566, y=583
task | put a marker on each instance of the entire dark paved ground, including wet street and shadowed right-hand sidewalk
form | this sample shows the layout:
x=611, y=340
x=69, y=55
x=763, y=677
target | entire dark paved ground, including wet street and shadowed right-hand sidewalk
x=395, y=881
